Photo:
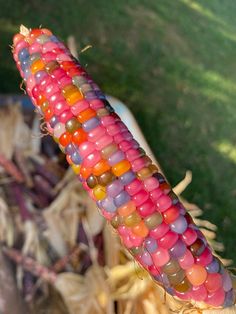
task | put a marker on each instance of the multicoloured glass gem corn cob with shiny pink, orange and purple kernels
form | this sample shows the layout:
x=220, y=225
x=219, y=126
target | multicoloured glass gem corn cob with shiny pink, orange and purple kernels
x=128, y=188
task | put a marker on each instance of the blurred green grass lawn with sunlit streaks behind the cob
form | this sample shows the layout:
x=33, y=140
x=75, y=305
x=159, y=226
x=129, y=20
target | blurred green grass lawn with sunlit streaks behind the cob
x=173, y=62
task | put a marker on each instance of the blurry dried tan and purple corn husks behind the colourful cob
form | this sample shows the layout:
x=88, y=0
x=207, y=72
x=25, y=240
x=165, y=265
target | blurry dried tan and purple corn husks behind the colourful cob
x=65, y=258
